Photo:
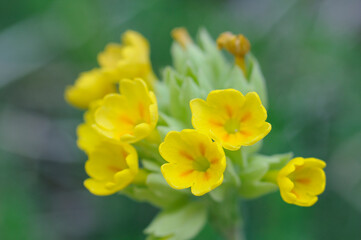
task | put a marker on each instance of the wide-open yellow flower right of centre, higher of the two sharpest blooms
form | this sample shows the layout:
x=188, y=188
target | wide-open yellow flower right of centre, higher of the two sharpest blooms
x=230, y=118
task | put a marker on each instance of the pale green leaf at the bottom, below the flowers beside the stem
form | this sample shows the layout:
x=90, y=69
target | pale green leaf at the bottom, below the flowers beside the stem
x=184, y=222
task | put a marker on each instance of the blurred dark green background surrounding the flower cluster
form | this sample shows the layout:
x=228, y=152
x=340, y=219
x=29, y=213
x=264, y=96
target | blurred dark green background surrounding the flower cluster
x=310, y=54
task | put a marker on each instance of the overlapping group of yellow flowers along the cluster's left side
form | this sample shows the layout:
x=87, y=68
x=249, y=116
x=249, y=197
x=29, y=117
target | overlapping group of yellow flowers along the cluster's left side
x=115, y=120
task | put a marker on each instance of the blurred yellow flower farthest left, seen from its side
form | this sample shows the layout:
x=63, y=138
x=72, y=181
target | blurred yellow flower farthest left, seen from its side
x=90, y=86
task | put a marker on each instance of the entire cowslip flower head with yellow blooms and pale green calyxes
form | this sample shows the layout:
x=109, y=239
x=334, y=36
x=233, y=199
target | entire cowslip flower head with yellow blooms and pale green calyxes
x=196, y=131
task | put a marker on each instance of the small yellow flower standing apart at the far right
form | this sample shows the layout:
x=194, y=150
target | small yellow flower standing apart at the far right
x=301, y=180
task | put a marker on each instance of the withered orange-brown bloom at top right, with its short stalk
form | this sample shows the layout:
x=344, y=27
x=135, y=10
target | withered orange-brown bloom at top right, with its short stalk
x=237, y=45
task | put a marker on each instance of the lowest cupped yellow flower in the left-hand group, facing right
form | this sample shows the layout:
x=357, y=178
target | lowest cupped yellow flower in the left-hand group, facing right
x=111, y=167
